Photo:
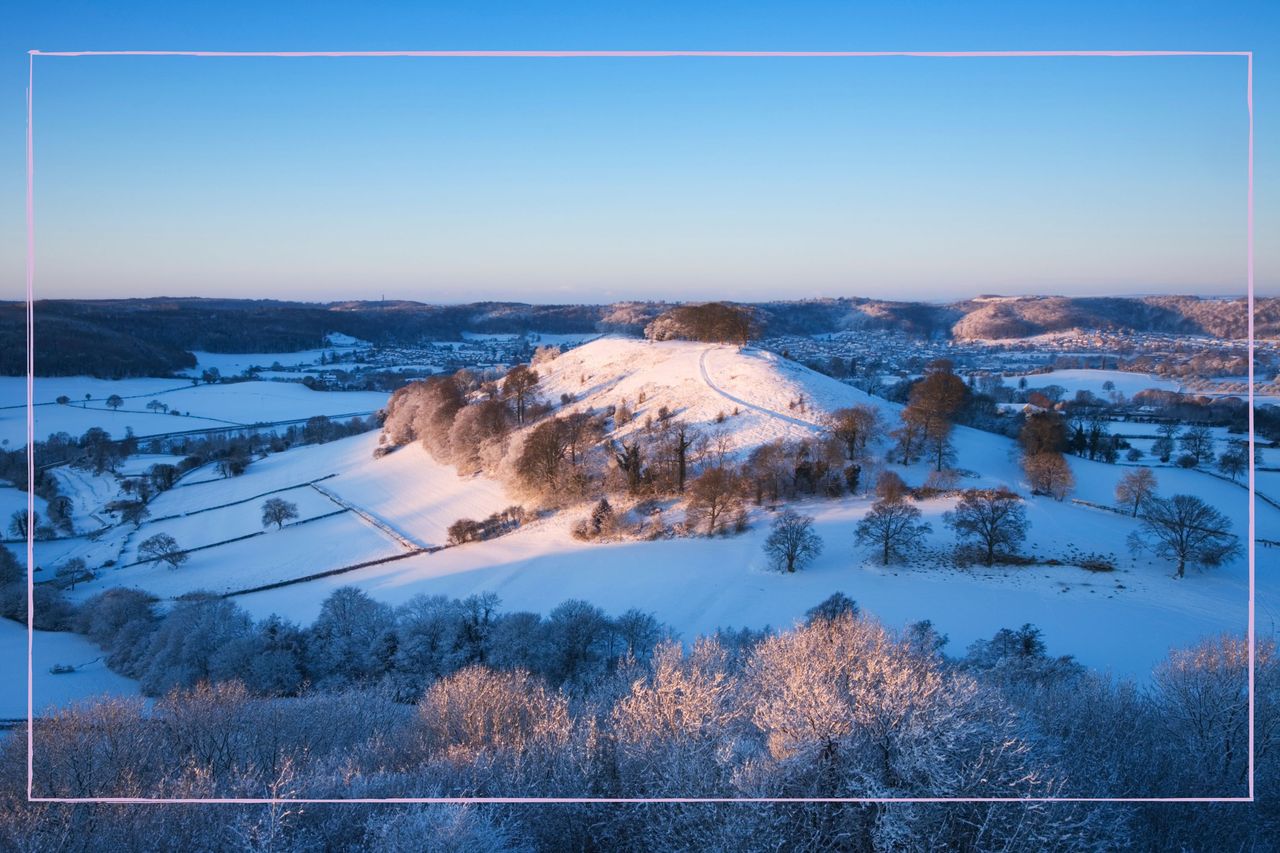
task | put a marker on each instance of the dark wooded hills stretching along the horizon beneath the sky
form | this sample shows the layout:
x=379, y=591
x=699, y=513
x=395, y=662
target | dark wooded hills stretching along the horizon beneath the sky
x=116, y=339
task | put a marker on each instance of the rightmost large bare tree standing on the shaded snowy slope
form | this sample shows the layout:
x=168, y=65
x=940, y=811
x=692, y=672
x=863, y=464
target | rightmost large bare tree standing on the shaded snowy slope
x=1186, y=531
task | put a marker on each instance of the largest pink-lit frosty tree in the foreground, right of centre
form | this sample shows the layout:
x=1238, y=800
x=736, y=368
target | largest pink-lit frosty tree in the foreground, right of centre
x=847, y=706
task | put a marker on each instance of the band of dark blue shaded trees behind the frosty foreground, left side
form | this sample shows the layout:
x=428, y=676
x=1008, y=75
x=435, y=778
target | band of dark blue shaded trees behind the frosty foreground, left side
x=356, y=641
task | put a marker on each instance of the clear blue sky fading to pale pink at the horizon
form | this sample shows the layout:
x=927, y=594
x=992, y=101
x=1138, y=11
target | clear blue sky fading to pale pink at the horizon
x=600, y=180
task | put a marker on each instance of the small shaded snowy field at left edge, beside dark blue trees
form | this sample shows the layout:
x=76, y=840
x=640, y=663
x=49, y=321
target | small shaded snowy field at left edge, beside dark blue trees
x=49, y=649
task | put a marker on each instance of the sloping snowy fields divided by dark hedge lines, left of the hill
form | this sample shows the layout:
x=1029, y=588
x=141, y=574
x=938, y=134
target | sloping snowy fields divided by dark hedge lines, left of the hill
x=403, y=498
